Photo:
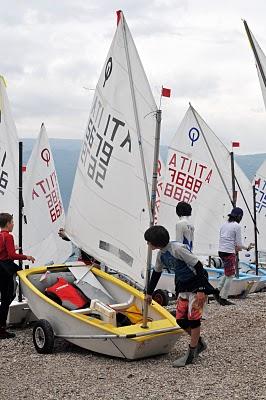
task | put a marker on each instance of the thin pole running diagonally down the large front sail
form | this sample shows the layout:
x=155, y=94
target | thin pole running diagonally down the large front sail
x=136, y=116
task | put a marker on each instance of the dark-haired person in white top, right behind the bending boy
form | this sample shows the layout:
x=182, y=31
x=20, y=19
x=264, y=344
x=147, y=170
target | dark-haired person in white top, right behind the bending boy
x=184, y=227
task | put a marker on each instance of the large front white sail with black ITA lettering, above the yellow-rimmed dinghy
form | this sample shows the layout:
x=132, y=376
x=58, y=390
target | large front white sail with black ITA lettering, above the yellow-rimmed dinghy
x=109, y=207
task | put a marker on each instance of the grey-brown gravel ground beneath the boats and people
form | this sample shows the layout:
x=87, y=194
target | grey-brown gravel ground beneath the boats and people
x=233, y=366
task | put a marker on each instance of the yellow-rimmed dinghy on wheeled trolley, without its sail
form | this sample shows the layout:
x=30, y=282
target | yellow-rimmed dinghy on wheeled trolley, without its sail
x=113, y=328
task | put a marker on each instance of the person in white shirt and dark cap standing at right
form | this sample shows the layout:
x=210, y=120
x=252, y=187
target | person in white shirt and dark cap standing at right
x=230, y=243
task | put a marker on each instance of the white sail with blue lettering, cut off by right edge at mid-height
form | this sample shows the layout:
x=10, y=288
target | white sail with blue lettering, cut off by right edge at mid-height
x=260, y=186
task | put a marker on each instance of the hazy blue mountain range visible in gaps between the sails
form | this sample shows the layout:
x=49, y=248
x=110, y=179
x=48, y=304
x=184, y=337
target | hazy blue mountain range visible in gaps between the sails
x=66, y=154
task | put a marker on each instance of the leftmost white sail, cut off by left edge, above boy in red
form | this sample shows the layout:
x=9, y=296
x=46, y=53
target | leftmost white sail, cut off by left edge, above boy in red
x=9, y=159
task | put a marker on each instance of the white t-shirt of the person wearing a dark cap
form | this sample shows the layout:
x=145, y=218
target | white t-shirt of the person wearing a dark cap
x=230, y=237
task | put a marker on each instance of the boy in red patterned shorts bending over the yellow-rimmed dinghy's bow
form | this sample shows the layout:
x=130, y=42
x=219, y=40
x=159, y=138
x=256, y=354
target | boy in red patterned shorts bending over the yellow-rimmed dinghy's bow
x=191, y=283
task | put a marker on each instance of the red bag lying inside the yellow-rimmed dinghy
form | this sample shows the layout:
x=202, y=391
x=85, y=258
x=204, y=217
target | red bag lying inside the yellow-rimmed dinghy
x=70, y=297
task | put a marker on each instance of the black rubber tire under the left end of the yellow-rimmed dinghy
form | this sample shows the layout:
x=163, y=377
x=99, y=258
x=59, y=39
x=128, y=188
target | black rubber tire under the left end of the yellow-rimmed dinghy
x=43, y=337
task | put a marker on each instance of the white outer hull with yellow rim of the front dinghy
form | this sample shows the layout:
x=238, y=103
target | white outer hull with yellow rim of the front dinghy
x=78, y=329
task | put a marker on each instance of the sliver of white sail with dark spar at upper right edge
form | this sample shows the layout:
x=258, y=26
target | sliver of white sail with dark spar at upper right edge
x=260, y=60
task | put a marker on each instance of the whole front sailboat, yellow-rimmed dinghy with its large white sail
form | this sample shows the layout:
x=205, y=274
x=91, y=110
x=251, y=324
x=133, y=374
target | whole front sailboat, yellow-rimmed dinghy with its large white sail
x=108, y=213
